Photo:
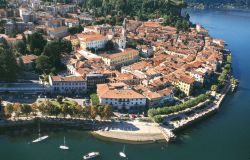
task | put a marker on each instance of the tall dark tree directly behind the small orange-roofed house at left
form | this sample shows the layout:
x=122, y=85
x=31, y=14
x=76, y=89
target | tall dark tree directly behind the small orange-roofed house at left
x=36, y=43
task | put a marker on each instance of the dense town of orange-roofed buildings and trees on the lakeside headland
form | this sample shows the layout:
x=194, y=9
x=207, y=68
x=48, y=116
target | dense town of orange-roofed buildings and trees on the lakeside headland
x=137, y=68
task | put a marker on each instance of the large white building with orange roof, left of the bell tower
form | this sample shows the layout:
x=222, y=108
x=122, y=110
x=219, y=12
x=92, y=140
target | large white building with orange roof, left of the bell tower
x=92, y=40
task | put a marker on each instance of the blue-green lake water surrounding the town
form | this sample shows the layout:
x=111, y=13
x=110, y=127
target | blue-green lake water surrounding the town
x=223, y=136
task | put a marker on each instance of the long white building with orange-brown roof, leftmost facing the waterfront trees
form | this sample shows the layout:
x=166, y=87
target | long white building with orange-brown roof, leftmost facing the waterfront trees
x=68, y=85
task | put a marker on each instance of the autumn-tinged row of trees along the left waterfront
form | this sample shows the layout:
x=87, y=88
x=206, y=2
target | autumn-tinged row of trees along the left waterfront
x=48, y=108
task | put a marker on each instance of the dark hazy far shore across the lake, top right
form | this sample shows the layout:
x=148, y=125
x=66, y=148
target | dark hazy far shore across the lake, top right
x=219, y=3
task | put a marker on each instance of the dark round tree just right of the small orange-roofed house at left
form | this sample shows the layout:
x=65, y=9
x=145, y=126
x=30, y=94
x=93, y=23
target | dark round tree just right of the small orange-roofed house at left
x=43, y=64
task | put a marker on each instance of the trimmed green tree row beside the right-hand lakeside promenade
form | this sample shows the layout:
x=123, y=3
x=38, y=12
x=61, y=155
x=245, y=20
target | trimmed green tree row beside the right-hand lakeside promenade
x=155, y=113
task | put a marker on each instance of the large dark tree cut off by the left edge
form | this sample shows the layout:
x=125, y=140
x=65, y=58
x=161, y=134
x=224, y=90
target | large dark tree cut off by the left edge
x=9, y=69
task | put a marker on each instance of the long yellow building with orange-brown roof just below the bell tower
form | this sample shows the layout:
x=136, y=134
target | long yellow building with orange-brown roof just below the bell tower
x=122, y=58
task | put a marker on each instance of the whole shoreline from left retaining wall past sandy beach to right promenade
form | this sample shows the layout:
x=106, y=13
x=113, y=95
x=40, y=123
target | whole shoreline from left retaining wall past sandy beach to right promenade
x=136, y=133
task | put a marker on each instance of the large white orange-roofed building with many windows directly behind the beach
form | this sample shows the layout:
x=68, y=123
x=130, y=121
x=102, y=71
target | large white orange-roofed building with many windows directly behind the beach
x=120, y=97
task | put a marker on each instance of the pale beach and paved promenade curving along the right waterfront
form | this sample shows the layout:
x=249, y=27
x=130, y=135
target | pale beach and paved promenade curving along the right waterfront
x=150, y=132
